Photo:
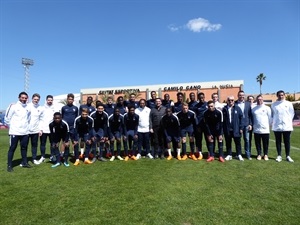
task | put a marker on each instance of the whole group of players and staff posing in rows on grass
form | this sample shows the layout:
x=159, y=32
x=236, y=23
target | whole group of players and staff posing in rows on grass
x=151, y=127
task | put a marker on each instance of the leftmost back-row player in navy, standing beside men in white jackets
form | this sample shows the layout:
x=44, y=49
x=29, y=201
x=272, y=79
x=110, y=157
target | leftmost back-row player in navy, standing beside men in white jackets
x=69, y=113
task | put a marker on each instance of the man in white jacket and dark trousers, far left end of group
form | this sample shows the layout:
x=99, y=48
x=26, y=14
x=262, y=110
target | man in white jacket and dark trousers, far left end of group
x=17, y=118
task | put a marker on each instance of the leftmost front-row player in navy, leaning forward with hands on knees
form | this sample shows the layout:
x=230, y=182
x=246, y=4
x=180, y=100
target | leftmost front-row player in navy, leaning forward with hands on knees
x=59, y=131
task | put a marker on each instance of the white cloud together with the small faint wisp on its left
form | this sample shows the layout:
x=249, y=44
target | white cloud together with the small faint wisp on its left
x=196, y=25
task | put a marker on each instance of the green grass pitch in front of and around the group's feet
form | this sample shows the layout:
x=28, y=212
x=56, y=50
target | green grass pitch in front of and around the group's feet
x=153, y=191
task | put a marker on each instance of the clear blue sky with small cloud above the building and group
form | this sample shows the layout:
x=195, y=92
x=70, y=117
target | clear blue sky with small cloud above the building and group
x=92, y=44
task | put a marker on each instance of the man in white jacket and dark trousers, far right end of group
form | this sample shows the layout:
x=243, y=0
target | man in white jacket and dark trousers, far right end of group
x=282, y=125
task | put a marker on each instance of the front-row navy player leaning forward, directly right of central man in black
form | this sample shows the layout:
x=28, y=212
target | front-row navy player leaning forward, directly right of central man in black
x=171, y=127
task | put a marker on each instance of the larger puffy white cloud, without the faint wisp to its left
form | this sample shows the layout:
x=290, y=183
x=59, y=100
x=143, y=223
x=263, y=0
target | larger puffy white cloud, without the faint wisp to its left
x=200, y=24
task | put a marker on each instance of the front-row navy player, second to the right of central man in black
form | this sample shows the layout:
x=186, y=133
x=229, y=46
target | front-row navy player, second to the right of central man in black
x=188, y=121
